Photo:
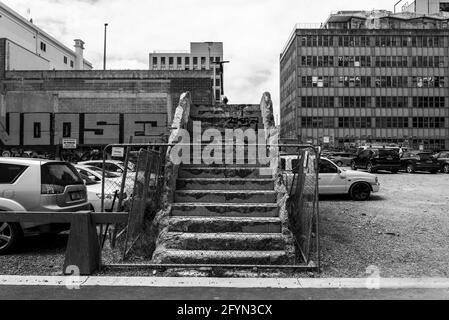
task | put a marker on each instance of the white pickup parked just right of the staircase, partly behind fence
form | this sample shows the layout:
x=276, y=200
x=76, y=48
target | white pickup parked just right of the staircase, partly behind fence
x=334, y=180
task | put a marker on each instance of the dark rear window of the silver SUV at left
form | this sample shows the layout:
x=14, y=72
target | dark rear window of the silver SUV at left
x=59, y=174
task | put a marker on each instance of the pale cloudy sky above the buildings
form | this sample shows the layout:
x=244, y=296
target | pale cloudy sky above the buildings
x=254, y=32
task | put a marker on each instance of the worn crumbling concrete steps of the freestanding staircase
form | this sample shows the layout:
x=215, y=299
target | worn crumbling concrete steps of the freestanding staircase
x=225, y=214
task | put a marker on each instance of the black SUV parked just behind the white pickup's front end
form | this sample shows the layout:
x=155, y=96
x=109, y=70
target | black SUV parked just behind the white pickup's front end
x=374, y=159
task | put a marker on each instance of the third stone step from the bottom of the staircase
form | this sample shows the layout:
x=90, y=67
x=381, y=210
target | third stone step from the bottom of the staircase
x=224, y=224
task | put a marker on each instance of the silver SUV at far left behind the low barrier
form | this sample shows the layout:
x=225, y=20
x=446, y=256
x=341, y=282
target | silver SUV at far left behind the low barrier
x=39, y=186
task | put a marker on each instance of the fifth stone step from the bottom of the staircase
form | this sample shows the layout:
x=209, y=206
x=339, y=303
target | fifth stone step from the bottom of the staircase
x=224, y=196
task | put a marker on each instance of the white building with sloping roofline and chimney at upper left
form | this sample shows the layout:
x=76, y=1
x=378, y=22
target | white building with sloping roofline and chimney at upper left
x=27, y=47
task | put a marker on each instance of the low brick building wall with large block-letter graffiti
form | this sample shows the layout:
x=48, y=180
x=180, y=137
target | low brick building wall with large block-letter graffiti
x=38, y=110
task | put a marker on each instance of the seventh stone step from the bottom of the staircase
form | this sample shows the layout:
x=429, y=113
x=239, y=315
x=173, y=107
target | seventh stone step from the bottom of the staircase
x=223, y=171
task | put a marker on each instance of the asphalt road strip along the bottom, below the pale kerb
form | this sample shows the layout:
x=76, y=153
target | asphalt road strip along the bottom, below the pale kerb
x=157, y=293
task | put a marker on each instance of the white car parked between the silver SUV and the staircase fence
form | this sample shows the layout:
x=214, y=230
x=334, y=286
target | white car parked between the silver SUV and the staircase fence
x=93, y=177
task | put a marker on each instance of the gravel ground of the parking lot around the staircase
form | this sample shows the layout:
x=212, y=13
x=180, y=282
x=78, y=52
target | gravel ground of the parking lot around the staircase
x=403, y=231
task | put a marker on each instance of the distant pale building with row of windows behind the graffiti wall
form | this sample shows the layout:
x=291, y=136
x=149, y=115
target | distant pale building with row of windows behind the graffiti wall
x=202, y=56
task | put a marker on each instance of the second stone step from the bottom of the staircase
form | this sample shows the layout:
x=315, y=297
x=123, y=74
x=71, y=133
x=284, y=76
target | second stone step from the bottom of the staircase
x=223, y=241
